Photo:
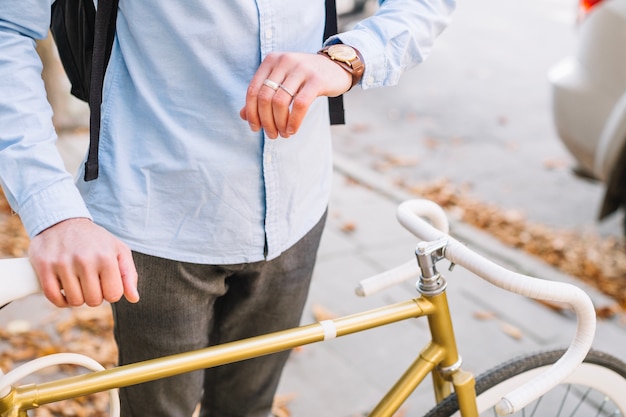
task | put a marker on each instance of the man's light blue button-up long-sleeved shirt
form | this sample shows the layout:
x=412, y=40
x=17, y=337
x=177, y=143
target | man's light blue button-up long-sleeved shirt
x=181, y=175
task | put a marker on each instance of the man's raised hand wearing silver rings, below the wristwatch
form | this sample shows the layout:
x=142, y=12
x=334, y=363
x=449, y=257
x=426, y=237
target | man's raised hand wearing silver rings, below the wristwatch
x=306, y=76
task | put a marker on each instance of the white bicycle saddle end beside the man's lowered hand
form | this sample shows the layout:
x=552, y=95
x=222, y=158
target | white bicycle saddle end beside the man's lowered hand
x=17, y=279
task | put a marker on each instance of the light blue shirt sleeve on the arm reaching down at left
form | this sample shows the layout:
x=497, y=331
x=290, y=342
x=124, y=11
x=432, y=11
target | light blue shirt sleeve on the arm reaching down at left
x=31, y=170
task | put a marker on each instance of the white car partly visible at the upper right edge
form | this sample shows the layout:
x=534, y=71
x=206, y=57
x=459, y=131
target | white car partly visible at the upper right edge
x=589, y=99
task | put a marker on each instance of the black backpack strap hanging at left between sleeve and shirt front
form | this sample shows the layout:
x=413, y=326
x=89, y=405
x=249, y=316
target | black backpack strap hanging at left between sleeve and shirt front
x=102, y=45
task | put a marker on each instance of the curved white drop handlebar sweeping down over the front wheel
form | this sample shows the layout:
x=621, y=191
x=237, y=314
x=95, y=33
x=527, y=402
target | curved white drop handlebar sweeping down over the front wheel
x=410, y=216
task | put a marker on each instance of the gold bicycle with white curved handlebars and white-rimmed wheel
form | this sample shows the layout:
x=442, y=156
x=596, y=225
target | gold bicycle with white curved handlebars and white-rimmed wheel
x=585, y=381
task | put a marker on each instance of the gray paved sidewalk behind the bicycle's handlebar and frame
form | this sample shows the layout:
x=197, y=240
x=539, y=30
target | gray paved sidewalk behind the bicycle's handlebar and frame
x=362, y=238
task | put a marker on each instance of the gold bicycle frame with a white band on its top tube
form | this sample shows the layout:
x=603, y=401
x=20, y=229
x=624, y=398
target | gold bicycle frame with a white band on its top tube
x=439, y=358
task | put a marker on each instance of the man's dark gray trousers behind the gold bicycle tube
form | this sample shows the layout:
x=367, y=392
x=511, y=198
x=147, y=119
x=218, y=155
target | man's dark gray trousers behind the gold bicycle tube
x=186, y=306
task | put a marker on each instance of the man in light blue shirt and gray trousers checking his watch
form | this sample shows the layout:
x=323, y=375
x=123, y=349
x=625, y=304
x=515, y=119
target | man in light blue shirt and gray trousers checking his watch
x=215, y=172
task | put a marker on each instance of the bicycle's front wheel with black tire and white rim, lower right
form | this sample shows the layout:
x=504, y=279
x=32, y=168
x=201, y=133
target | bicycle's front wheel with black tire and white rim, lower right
x=597, y=388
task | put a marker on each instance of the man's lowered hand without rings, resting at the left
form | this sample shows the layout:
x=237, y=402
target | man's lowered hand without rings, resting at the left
x=79, y=262
